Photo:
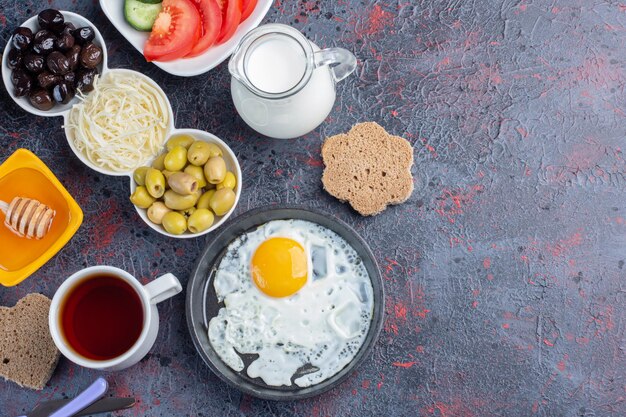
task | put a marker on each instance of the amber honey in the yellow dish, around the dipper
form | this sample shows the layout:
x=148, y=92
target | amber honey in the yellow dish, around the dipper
x=17, y=252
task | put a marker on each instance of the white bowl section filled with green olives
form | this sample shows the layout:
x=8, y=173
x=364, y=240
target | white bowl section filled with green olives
x=191, y=188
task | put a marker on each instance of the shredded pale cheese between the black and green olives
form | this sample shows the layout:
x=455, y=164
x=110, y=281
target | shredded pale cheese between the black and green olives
x=121, y=124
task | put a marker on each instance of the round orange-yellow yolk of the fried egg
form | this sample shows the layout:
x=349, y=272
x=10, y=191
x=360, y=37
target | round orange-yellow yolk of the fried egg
x=279, y=267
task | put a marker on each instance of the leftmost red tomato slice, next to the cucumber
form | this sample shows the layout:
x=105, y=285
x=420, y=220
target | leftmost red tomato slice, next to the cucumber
x=174, y=32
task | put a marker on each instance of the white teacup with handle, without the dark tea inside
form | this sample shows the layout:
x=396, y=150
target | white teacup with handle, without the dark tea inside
x=150, y=294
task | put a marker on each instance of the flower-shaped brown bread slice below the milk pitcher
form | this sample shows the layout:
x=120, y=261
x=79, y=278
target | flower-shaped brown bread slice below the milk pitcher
x=368, y=167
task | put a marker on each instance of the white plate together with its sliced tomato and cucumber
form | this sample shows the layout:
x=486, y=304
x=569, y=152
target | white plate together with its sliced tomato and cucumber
x=185, y=37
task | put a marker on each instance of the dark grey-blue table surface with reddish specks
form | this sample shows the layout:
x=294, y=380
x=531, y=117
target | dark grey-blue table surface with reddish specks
x=505, y=269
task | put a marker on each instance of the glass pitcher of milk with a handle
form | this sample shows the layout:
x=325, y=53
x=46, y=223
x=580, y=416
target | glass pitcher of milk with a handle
x=283, y=85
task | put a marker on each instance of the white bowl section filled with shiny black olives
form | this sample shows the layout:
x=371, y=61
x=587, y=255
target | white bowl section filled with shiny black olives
x=50, y=59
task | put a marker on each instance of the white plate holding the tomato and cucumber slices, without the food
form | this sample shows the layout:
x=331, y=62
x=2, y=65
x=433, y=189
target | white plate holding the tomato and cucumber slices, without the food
x=185, y=67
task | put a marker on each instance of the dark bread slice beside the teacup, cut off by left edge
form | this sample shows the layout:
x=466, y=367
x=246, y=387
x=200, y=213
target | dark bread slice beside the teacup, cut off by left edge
x=28, y=355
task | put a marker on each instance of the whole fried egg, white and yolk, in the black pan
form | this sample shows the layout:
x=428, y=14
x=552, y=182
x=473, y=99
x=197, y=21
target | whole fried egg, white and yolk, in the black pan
x=297, y=295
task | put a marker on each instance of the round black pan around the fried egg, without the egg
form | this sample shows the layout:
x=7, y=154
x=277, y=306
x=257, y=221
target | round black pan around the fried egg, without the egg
x=202, y=302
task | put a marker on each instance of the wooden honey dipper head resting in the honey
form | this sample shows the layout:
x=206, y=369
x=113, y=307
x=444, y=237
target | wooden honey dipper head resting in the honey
x=27, y=217
